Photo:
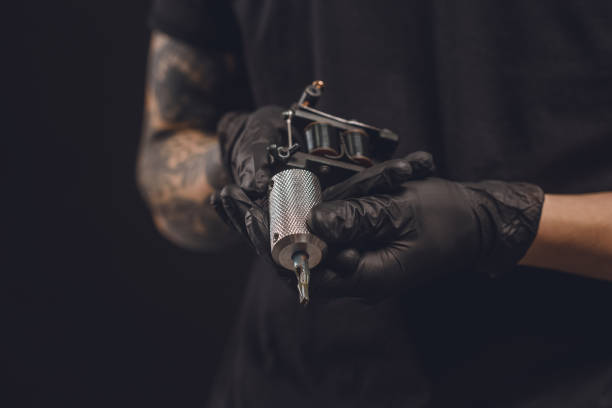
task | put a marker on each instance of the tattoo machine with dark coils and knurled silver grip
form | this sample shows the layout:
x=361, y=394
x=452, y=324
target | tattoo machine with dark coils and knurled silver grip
x=335, y=148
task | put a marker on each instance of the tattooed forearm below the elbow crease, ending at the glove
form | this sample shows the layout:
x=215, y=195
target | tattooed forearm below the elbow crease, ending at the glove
x=177, y=176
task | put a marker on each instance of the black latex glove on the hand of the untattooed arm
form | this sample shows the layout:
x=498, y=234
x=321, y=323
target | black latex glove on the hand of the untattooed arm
x=428, y=228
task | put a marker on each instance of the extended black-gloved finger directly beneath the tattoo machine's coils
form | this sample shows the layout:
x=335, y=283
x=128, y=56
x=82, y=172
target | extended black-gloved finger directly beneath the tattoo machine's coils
x=383, y=177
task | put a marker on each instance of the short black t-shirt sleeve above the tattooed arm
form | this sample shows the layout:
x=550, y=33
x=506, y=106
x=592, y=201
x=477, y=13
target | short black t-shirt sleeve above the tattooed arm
x=206, y=24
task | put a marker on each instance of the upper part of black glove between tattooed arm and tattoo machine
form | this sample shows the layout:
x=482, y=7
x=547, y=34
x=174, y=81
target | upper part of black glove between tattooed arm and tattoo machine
x=244, y=139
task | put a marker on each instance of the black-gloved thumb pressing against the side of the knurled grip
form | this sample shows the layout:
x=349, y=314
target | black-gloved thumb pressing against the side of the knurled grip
x=370, y=220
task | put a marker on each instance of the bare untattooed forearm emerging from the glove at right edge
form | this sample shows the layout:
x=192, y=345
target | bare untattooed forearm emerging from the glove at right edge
x=574, y=235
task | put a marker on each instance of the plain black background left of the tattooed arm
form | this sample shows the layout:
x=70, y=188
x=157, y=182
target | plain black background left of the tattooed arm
x=101, y=311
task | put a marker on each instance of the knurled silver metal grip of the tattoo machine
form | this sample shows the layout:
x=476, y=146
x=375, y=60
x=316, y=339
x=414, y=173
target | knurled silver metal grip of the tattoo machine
x=293, y=193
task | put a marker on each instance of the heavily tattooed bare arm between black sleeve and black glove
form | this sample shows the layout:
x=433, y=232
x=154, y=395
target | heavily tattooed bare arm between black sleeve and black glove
x=179, y=163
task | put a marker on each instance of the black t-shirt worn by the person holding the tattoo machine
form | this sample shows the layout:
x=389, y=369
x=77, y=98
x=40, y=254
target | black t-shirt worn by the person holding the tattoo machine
x=518, y=91
